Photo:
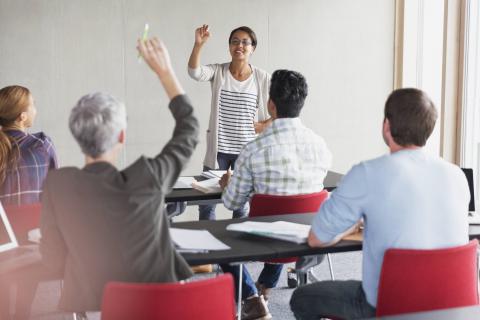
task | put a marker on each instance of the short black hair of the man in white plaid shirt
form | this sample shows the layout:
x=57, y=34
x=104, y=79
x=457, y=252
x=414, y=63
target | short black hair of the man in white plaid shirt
x=288, y=90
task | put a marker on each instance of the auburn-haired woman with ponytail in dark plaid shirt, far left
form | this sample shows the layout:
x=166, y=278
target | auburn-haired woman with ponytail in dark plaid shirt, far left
x=24, y=158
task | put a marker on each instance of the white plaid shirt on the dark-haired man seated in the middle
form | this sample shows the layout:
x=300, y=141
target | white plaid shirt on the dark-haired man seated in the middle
x=286, y=159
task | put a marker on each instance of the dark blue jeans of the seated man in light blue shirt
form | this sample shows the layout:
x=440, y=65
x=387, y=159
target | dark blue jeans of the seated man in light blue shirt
x=338, y=299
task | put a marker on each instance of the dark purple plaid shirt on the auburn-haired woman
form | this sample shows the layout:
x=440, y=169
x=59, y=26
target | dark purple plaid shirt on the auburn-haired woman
x=23, y=184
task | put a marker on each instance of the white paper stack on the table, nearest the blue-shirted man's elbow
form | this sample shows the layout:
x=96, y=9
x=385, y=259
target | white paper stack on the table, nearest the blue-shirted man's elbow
x=288, y=231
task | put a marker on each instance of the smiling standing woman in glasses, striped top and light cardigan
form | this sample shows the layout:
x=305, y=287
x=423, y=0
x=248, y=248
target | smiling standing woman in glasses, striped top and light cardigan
x=239, y=102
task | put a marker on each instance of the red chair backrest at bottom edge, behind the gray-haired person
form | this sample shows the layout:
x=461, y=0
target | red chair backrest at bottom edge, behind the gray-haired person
x=200, y=300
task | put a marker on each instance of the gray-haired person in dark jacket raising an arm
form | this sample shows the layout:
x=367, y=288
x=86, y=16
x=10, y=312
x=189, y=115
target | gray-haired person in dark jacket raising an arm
x=101, y=224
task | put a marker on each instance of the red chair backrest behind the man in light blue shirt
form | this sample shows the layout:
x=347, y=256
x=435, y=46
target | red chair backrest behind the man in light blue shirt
x=421, y=280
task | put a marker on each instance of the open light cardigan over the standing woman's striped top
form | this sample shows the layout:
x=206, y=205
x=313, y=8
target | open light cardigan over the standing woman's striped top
x=215, y=73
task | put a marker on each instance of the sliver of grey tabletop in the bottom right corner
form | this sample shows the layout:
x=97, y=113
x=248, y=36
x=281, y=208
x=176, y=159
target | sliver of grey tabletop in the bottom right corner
x=463, y=313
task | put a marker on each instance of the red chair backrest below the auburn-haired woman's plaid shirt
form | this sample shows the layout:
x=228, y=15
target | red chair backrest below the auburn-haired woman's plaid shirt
x=23, y=218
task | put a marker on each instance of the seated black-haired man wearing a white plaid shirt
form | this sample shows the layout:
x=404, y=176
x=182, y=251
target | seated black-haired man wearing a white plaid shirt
x=286, y=159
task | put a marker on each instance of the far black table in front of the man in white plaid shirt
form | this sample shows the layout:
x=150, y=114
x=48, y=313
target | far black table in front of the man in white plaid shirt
x=192, y=195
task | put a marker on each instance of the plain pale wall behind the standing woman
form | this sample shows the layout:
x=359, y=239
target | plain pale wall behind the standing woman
x=63, y=49
